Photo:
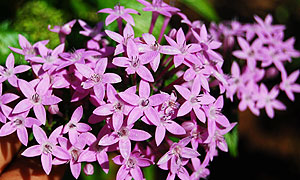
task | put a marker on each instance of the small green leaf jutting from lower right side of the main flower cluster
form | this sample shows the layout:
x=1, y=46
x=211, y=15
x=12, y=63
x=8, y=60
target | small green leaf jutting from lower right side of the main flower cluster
x=232, y=139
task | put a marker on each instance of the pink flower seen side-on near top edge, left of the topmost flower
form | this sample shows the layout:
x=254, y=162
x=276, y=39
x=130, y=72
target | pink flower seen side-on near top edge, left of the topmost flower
x=119, y=12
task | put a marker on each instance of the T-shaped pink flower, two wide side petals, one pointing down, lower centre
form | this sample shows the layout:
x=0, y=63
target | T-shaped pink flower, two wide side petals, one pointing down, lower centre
x=123, y=136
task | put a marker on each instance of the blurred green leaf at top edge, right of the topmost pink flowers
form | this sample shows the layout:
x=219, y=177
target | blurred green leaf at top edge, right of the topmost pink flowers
x=203, y=7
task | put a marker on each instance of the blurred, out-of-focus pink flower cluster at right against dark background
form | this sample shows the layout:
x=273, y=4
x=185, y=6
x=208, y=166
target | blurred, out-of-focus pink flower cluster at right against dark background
x=265, y=51
